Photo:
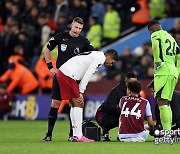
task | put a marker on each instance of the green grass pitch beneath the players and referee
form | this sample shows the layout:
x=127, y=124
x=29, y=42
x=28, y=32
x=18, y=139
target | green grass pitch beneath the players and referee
x=21, y=137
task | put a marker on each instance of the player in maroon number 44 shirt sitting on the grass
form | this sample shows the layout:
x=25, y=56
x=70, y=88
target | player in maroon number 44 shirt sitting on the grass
x=133, y=109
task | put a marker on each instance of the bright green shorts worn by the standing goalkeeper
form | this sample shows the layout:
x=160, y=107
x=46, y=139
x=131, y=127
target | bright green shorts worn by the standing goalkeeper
x=164, y=86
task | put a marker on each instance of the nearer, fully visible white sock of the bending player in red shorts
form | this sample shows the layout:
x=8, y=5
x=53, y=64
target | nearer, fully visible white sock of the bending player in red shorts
x=78, y=113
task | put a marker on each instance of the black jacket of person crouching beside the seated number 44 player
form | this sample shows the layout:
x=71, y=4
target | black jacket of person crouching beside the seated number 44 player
x=110, y=105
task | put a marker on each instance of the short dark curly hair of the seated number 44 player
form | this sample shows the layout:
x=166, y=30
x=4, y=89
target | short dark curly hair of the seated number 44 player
x=134, y=86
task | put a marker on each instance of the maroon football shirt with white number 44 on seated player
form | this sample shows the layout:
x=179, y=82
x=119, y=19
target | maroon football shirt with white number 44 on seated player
x=133, y=111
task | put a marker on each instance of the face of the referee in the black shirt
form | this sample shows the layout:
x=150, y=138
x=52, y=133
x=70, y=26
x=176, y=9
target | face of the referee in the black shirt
x=76, y=29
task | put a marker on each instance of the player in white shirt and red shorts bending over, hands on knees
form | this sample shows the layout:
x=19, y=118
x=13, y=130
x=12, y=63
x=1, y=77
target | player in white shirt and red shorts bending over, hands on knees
x=80, y=68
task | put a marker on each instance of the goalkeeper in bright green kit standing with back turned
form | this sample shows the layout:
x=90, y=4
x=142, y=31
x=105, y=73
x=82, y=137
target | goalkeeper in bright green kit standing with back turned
x=165, y=52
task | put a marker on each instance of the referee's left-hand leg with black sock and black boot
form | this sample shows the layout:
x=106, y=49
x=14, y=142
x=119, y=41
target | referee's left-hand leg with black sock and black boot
x=53, y=110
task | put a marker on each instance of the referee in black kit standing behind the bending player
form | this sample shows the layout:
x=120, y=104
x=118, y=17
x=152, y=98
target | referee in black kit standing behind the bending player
x=69, y=45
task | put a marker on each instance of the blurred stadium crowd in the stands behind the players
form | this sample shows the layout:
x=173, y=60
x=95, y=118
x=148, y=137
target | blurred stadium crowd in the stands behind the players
x=27, y=25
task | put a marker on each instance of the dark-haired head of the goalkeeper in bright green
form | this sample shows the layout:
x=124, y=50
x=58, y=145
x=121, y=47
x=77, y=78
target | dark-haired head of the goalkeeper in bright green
x=154, y=26
